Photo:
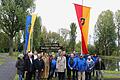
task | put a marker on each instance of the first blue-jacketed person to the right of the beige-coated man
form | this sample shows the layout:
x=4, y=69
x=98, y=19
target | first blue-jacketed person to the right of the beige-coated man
x=72, y=63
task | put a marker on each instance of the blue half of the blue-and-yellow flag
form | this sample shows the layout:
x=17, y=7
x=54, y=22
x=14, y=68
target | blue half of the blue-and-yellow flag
x=28, y=24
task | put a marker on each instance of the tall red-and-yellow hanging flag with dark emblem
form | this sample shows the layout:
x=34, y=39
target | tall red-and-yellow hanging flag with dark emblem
x=83, y=15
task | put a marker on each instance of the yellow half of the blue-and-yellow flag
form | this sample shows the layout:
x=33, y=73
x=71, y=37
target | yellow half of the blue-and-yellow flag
x=29, y=48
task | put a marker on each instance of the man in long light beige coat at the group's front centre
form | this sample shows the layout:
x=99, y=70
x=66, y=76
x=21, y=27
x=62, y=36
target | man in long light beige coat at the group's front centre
x=61, y=66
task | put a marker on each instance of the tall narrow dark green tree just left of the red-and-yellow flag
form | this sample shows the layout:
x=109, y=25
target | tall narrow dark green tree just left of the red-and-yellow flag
x=72, y=36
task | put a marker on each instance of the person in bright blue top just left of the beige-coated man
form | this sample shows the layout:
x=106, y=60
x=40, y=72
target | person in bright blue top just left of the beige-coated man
x=52, y=67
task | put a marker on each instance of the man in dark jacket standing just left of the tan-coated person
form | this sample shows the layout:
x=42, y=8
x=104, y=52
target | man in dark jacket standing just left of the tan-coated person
x=39, y=66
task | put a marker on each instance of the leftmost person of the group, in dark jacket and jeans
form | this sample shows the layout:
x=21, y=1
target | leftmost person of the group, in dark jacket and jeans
x=20, y=66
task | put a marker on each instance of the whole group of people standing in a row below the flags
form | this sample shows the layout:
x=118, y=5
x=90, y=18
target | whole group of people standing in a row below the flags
x=63, y=66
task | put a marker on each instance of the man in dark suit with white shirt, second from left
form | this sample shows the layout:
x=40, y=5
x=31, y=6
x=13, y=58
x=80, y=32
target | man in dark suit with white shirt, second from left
x=29, y=66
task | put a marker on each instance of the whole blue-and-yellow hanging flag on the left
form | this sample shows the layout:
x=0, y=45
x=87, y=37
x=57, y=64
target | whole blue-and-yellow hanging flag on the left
x=30, y=20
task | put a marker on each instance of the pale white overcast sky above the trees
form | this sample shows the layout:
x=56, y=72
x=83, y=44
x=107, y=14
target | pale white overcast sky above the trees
x=58, y=14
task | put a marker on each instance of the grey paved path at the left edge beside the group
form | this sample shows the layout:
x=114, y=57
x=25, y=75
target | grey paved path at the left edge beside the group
x=7, y=70
